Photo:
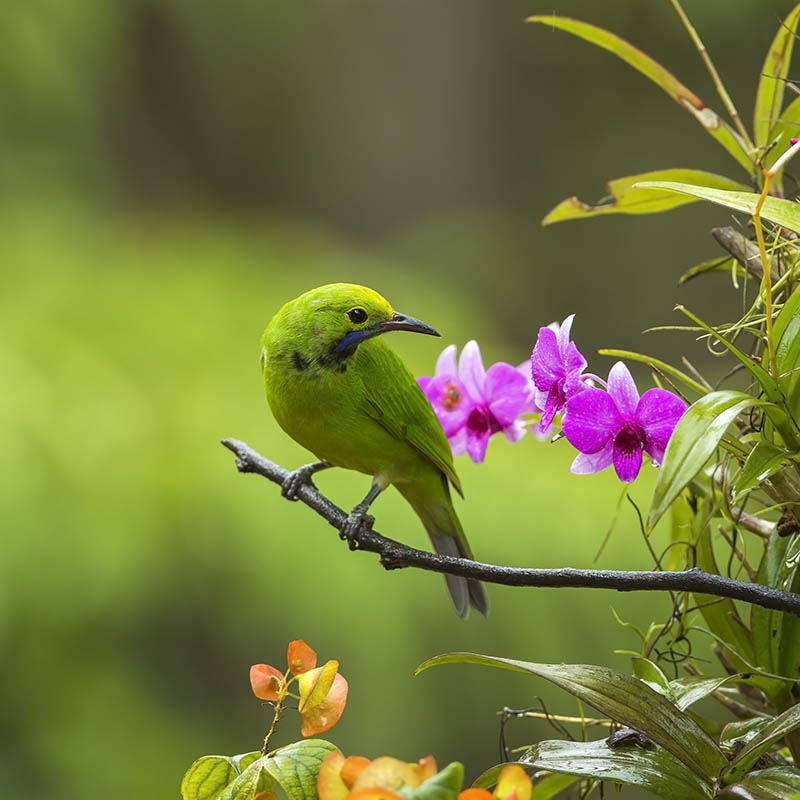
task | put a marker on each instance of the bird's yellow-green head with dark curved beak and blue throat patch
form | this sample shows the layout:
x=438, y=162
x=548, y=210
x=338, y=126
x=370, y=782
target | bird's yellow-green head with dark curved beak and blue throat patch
x=338, y=317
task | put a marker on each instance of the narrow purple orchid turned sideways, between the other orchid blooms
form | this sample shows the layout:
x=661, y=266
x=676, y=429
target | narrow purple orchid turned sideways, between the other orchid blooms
x=556, y=367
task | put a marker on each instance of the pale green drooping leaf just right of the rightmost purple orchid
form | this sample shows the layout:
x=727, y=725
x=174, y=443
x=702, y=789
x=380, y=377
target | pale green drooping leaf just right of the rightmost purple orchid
x=692, y=443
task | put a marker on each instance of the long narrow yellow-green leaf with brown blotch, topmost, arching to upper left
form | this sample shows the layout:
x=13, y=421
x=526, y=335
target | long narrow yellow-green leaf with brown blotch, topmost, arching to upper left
x=650, y=68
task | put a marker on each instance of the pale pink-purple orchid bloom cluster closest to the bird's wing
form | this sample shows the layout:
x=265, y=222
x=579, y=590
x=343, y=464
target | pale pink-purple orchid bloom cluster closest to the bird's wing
x=473, y=403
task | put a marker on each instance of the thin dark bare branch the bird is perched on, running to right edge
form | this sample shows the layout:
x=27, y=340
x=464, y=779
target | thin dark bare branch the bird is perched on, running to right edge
x=394, y=555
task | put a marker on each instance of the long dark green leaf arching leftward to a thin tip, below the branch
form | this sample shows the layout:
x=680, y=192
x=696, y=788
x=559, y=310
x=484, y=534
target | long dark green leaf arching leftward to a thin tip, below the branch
x=623, y=698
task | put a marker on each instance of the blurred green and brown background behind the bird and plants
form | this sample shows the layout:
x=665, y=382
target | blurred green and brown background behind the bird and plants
x=171, y=172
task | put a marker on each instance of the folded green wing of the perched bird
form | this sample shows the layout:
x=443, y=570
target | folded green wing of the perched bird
x=393, y=399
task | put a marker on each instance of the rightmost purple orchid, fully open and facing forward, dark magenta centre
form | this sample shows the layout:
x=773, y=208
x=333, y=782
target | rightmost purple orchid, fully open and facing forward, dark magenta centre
x=617, y=425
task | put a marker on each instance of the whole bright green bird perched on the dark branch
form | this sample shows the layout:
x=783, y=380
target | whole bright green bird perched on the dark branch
x=337, y=389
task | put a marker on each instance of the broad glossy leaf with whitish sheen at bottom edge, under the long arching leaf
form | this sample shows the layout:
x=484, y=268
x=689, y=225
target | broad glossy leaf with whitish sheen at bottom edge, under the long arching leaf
x=652, y=769
